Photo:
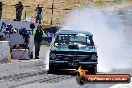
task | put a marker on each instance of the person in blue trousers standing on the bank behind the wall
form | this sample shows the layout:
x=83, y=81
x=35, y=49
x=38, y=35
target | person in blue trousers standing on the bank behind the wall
x=39, y=14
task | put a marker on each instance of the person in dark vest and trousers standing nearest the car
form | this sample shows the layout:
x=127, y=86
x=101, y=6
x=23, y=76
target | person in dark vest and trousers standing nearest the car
x=38, y=37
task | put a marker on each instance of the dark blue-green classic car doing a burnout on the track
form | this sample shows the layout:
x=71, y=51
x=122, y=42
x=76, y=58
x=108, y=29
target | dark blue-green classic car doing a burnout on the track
x=71, y=49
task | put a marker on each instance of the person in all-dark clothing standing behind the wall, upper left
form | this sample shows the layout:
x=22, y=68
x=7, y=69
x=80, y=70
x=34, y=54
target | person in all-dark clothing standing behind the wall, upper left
x=19, y=8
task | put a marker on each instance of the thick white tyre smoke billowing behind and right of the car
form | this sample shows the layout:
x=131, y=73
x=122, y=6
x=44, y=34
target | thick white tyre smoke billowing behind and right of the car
x=113, y=50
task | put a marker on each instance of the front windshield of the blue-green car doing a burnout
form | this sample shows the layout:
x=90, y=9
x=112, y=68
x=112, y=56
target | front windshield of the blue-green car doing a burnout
x=73, y=38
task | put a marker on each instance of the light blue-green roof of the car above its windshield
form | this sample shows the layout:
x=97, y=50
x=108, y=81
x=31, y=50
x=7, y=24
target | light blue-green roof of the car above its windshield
x=73, y=32
